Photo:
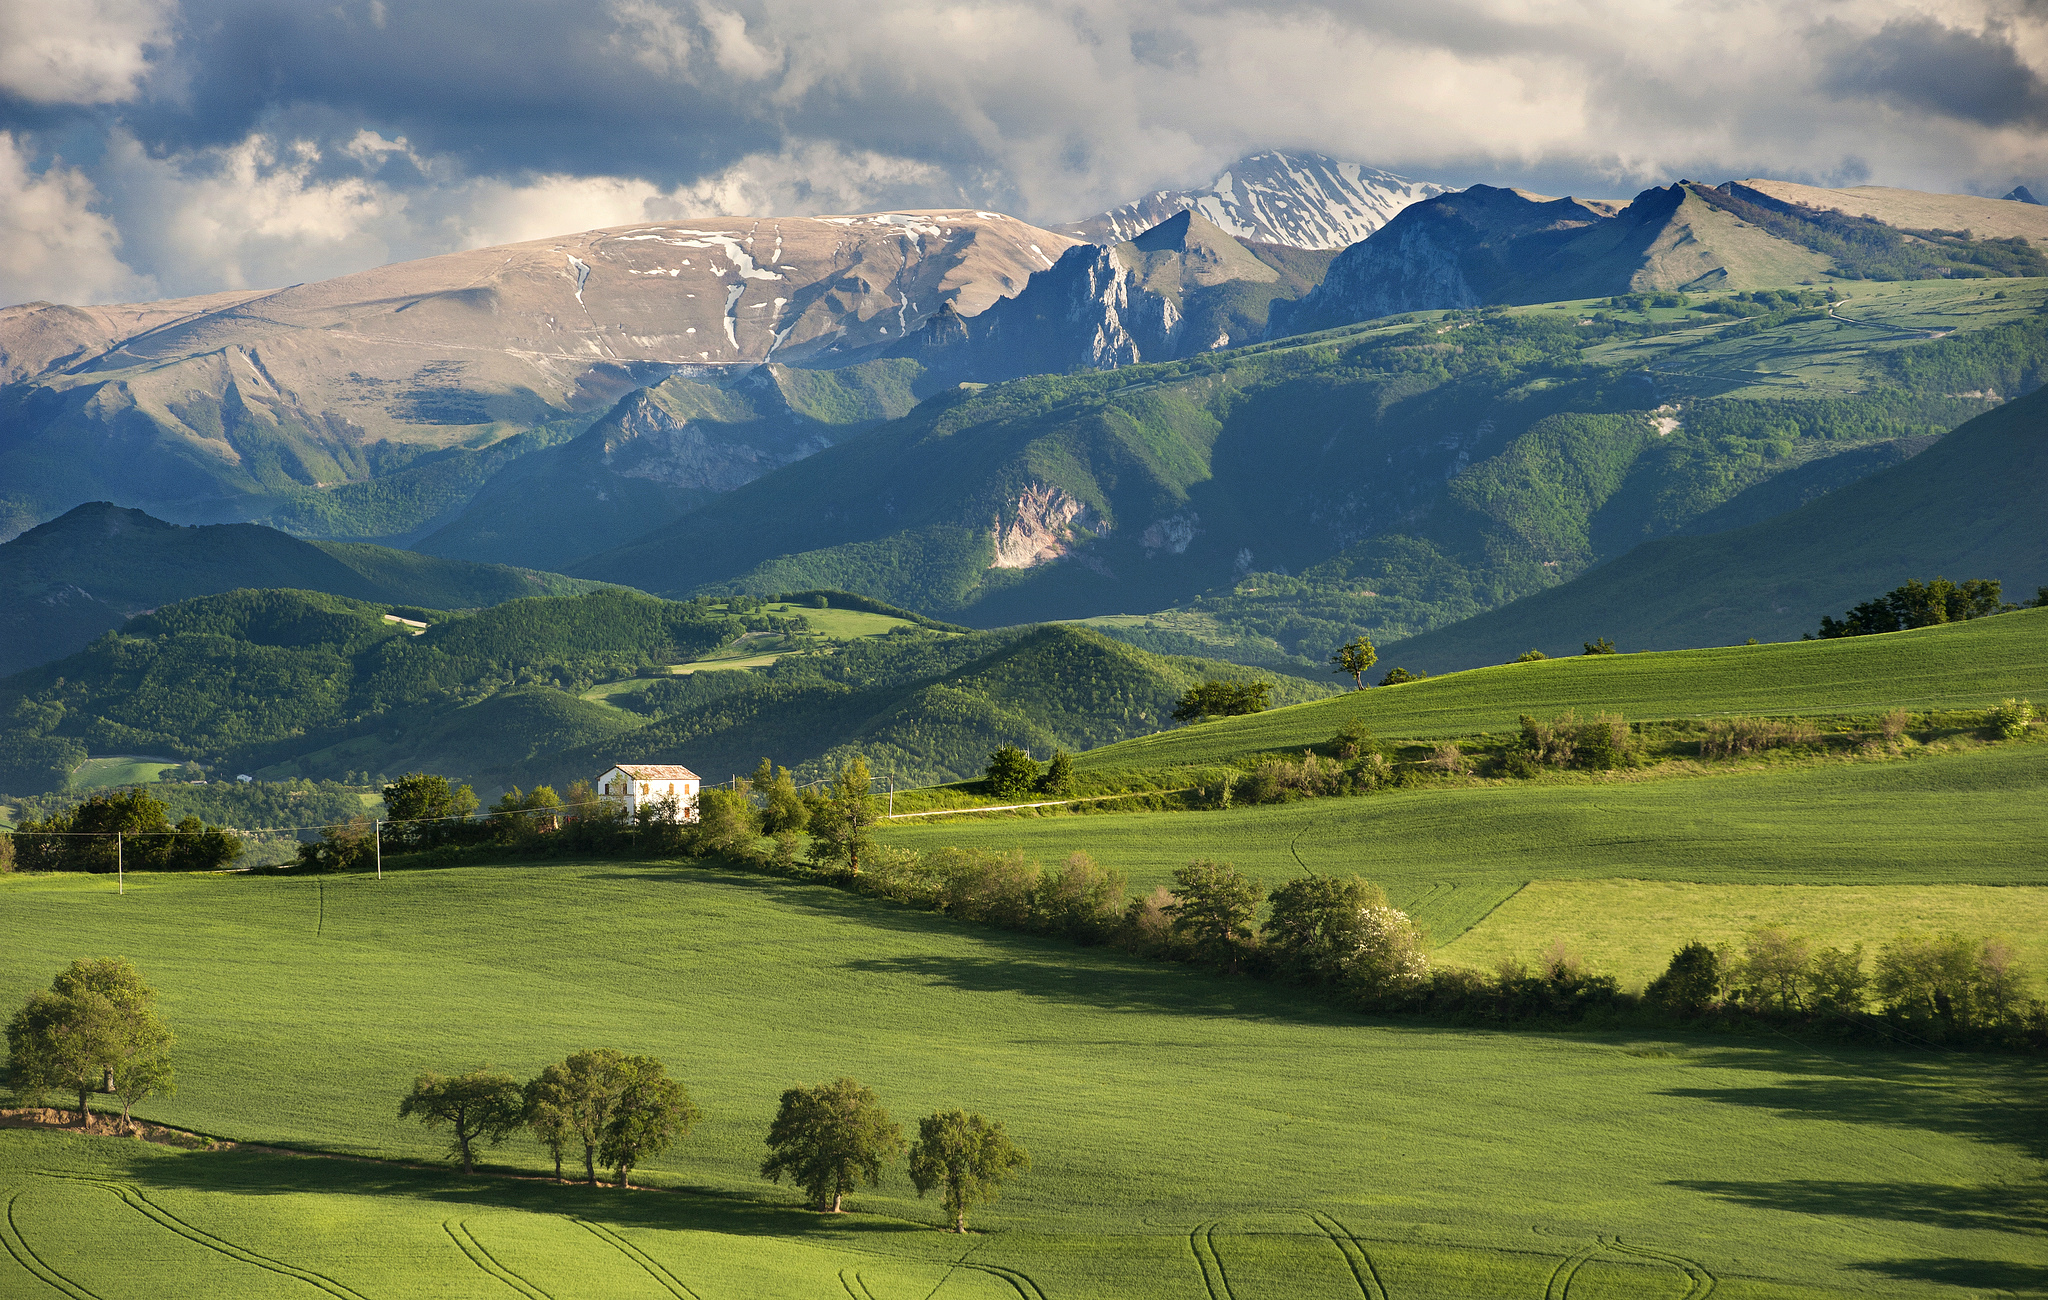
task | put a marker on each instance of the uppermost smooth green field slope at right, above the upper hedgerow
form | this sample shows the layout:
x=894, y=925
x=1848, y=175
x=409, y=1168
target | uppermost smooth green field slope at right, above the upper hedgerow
x=1955, y=666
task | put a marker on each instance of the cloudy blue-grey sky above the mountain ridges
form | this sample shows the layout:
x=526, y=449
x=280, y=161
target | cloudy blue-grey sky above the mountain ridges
x=159, y=148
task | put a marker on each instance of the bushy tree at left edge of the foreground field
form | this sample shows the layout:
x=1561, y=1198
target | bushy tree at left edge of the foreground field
x=93, y=1031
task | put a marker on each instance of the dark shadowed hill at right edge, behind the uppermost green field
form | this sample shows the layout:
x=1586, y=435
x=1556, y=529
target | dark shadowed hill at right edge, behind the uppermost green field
x=1971, y=507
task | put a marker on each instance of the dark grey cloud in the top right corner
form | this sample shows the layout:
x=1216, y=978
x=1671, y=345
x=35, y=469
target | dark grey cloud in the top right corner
x=1922, y=67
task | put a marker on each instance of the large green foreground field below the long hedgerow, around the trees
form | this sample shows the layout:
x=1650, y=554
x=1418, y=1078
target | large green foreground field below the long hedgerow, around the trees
x=1193, y=1135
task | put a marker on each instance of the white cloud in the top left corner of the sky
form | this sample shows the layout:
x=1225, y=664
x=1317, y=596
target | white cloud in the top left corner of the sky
x=81, y=52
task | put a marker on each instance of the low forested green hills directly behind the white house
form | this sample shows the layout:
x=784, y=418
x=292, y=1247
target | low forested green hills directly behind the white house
x=321, y=687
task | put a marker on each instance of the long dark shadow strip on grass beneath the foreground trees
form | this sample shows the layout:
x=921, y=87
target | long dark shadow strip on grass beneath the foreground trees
x=245, y=1172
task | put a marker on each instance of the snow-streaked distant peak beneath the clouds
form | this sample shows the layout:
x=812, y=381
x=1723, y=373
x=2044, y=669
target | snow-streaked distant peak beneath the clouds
x=1293, y=200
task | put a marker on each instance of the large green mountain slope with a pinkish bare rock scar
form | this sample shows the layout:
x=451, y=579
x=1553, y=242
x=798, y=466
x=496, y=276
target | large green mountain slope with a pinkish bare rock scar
x=1390, y=478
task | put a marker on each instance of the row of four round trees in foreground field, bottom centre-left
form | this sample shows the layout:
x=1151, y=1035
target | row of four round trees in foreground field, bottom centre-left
x=624, y=1111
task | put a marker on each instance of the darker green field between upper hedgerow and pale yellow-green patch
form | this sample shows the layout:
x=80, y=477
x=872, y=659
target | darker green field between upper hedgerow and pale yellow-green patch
x=1453, y=855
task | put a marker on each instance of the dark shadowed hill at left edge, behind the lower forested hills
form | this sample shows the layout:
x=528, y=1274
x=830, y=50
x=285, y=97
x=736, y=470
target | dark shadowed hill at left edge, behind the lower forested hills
x=87, y=572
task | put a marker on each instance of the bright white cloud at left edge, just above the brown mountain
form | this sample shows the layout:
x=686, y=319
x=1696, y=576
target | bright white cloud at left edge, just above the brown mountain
x=52, y=245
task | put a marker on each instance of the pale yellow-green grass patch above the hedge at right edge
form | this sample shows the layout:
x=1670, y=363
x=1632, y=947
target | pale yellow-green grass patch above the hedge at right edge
x=1631, y=928
